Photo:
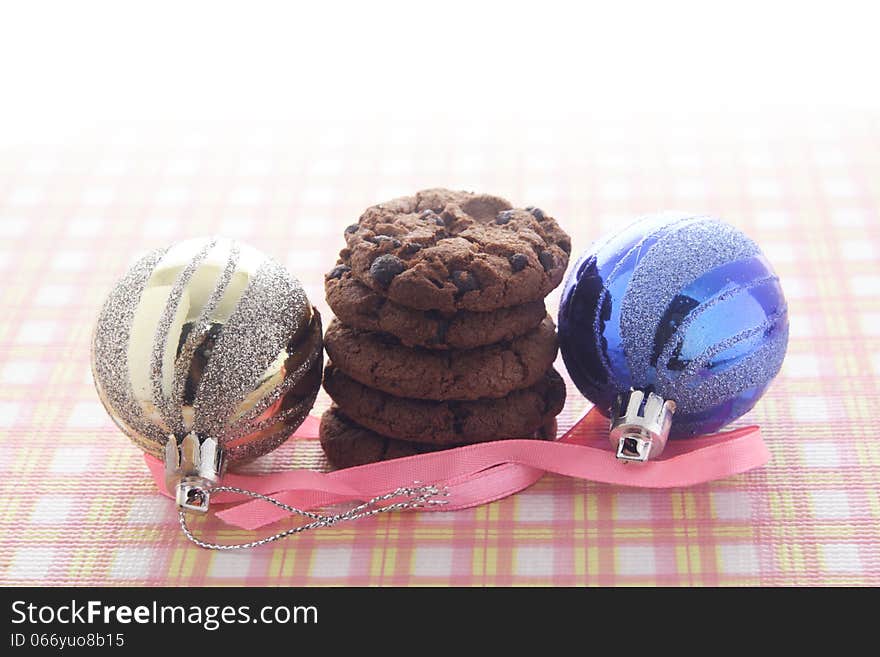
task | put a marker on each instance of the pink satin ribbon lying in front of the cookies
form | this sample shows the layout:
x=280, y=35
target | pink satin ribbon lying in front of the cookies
x=481, y=473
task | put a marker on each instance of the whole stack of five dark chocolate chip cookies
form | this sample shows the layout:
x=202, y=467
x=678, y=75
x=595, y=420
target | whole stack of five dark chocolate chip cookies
x=442, y=337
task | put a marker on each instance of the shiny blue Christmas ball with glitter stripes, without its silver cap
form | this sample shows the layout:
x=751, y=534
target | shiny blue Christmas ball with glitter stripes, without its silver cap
x=683, y=306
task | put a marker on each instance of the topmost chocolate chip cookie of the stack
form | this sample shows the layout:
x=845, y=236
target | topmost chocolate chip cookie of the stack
x=448, y=251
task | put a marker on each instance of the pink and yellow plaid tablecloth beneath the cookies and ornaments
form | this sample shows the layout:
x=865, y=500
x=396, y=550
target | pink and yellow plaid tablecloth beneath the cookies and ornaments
x=76, y=503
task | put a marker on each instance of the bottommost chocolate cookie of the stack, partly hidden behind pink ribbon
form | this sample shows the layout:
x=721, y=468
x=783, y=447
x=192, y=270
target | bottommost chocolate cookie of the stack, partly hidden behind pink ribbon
x=347, y=444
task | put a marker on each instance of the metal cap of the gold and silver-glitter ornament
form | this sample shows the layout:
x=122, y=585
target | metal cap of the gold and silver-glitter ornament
x=192, y=467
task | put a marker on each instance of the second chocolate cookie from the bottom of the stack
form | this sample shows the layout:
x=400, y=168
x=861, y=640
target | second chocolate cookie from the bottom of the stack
x=447, y=423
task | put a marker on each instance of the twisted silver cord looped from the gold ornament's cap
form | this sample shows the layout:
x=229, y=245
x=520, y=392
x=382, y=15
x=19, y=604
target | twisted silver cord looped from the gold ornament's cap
x=416, y=497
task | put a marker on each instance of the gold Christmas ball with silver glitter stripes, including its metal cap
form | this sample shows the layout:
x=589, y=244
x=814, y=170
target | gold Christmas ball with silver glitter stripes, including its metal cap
x=205, y=353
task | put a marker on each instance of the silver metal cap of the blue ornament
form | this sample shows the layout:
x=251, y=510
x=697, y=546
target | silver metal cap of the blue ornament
x=640, y=424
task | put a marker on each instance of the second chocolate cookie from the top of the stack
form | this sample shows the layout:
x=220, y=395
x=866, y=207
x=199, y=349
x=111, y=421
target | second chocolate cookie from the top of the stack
x=358, y=306
